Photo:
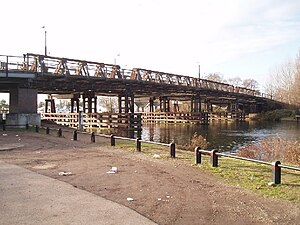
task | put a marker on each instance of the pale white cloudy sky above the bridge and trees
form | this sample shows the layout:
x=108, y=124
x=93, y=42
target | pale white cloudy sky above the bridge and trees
x=246, y=38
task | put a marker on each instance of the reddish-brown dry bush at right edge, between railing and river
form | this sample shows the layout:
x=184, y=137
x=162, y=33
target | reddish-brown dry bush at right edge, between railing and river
x=272, y=149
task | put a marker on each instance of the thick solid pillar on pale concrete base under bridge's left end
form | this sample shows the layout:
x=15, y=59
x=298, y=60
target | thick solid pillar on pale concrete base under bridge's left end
x=23, y=108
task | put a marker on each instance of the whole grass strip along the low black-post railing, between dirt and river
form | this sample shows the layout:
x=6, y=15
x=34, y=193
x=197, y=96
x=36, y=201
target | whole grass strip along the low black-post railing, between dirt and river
x=252, y=176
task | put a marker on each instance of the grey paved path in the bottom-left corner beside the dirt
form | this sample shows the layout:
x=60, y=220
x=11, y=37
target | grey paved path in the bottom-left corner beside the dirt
x=30, y=198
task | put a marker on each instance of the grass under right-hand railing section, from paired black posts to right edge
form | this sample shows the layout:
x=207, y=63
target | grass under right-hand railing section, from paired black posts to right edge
x=255, y=177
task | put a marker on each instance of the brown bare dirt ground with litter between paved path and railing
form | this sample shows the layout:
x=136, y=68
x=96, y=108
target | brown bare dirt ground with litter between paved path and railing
x=167, y=191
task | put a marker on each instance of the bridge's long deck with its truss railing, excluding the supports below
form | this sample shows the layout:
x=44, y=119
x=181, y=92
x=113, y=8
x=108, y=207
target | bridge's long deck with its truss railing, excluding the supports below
x=54, y=75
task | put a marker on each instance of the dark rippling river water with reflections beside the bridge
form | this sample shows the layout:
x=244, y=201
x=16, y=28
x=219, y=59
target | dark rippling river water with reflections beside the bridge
x=222, y=135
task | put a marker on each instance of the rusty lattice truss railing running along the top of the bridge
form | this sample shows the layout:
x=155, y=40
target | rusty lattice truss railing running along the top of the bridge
x=72, y=67
